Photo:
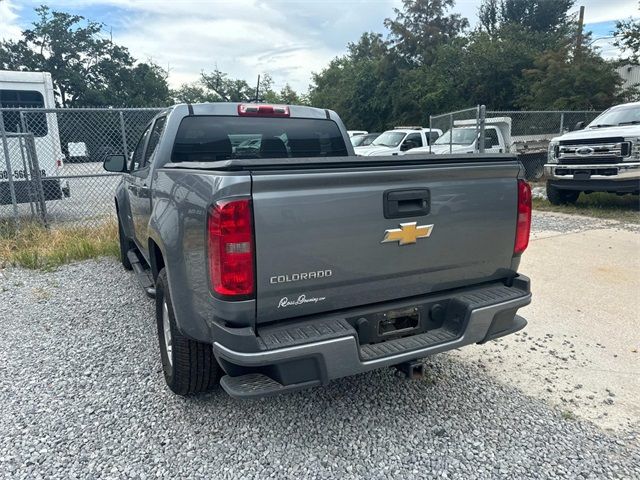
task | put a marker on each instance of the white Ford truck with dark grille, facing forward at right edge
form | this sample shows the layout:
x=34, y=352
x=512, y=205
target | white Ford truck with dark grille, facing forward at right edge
x=603, y=157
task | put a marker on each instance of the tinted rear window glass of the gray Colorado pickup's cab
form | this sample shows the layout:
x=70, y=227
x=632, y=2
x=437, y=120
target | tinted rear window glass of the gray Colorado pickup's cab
x=214, y=138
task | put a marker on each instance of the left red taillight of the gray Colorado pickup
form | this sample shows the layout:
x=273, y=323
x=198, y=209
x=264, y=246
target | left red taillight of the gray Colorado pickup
x=231, y=248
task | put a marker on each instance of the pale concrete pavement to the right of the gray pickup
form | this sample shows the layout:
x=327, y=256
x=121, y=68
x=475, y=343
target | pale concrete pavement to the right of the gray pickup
x=581, y=348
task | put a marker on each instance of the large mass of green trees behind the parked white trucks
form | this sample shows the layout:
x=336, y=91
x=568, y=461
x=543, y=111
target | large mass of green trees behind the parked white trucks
x=429, y=65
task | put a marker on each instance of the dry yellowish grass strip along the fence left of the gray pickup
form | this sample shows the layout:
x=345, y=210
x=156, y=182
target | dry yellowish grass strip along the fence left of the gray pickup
x=33, y=246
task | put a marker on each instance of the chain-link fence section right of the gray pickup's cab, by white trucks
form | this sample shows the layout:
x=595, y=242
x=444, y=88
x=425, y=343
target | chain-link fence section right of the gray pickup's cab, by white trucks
x=525, y=133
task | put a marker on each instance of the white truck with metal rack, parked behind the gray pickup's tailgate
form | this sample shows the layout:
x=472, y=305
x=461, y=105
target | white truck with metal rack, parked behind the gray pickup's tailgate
x=464, y=138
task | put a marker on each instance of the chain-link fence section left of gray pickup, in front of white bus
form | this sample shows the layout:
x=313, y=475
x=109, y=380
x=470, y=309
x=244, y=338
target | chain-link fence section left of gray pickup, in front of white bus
x=51, y=162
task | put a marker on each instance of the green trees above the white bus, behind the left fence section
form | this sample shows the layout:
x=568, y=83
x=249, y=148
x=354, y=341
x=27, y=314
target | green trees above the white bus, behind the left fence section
x=86, y=68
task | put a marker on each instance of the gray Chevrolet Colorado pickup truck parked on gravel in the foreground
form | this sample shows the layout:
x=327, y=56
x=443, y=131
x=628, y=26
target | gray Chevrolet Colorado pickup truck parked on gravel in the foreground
x=279, y=260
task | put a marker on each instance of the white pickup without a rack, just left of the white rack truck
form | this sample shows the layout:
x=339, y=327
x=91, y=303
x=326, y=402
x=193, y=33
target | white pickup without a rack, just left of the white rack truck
x=399, y=140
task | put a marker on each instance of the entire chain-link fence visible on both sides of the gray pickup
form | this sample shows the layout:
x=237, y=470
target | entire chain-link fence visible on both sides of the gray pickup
x=51, y=159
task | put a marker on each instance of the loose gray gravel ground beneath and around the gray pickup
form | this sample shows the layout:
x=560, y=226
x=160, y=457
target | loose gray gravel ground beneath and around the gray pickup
x=83, y=396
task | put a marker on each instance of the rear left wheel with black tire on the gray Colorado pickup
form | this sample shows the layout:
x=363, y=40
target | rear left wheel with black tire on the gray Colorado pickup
x=190, y=366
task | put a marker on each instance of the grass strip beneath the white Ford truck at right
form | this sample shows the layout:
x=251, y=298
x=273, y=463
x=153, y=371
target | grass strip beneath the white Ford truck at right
x=599, y=205
